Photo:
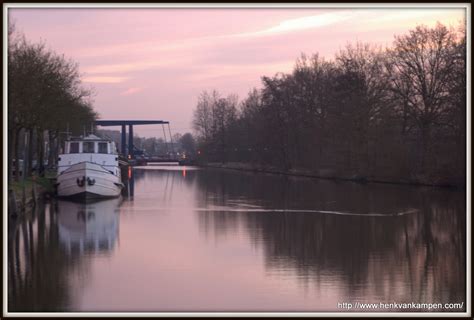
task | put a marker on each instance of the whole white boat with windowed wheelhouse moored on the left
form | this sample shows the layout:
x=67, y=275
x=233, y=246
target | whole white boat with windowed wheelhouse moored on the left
x=89, y=168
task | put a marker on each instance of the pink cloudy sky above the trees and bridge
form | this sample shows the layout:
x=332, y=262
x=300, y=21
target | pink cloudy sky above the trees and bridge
x=152, y=63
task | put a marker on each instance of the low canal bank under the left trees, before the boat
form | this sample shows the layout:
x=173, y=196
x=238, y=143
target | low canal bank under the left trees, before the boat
x=24, y=194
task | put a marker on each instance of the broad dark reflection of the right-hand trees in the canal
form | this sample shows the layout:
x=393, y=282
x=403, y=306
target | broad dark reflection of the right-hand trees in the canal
x=373, y=258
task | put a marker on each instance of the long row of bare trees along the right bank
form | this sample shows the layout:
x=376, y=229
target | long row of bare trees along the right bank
x=393, y=114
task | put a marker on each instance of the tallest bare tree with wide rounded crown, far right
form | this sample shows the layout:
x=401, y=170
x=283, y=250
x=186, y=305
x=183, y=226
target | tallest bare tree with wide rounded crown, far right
x=421, y=65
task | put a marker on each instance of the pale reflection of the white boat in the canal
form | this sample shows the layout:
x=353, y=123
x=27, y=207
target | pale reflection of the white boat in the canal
x=88, y=227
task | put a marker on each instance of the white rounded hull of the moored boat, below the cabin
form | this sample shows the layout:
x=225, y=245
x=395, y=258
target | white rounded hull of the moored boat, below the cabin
x=88, y=181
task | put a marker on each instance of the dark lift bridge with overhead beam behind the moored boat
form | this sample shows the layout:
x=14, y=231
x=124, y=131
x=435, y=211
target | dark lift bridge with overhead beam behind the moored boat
x=128, y=149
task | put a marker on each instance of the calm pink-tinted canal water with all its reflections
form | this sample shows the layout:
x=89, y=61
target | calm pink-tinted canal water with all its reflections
x=189, y=239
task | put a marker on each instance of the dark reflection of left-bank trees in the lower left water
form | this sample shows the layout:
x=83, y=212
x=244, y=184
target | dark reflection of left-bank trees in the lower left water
x=38, y=268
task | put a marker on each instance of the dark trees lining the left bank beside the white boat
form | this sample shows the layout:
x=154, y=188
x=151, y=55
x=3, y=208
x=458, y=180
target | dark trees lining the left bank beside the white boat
x=45, y=99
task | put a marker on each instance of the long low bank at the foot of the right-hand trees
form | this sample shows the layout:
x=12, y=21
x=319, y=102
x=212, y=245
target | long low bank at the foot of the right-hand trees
x=330, y=175
